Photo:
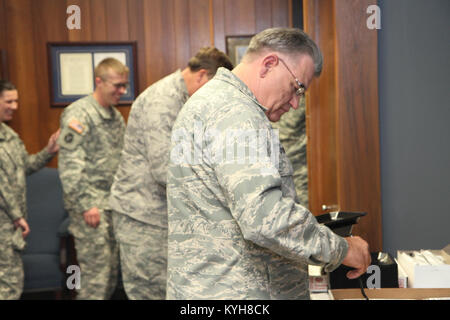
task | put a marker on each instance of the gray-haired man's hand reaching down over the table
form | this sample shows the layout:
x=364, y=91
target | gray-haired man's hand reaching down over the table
x=358, y=257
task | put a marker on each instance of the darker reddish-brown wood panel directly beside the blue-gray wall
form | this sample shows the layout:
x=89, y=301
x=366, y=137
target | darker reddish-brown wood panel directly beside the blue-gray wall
x=358, y=132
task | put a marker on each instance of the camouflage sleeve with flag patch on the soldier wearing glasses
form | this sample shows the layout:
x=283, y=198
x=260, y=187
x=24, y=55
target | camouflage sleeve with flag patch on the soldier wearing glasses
x=72, y=162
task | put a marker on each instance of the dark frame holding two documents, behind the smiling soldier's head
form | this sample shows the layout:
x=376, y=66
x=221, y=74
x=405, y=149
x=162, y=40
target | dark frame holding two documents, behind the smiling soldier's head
x=72, y=64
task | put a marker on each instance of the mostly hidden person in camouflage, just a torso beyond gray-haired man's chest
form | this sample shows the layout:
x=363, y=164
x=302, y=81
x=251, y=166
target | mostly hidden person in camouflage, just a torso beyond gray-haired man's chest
x=292, y=131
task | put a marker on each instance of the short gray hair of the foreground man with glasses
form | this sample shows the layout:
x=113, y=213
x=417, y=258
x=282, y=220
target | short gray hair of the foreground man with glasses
x=288, y=41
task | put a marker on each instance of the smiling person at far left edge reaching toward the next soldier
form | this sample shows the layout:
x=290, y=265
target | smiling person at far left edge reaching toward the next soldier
x=15, y=164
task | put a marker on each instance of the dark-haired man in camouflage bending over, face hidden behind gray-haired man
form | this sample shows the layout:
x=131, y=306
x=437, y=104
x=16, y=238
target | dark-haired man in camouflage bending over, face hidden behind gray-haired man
x=138, y=194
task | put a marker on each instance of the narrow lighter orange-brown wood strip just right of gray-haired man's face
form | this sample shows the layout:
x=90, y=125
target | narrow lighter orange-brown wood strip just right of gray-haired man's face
x=321, y=112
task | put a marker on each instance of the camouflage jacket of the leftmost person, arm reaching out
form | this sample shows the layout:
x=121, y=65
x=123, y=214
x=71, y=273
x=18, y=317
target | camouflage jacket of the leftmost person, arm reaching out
x=15, y=164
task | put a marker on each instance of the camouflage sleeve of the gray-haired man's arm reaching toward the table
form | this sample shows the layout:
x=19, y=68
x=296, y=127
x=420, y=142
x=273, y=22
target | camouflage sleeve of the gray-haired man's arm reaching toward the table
x=253, y=189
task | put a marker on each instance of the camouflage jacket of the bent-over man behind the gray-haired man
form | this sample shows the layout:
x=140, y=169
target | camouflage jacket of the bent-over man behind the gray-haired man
x=139, y=188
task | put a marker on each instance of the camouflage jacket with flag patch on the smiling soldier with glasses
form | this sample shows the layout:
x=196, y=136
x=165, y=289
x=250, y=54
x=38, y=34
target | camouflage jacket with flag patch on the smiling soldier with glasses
x=90, y=142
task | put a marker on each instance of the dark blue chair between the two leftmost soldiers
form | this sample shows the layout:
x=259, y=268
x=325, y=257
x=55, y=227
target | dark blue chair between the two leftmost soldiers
x=42, y=259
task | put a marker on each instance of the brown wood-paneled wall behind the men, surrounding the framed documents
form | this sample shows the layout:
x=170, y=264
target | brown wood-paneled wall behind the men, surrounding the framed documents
x=167, y=32
